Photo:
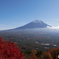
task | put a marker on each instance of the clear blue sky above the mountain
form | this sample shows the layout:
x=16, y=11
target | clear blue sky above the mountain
x=16, y=13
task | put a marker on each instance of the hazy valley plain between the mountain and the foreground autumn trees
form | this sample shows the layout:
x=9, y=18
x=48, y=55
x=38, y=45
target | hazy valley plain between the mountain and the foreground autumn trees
x=32, y=40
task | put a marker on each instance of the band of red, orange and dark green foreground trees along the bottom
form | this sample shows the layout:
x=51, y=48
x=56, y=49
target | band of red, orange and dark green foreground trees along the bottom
x=10, y=50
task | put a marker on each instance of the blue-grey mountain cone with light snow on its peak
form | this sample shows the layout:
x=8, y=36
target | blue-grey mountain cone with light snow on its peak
x=33, y=24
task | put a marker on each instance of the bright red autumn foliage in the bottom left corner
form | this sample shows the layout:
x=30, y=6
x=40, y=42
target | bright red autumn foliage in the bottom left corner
x=9, y=50
